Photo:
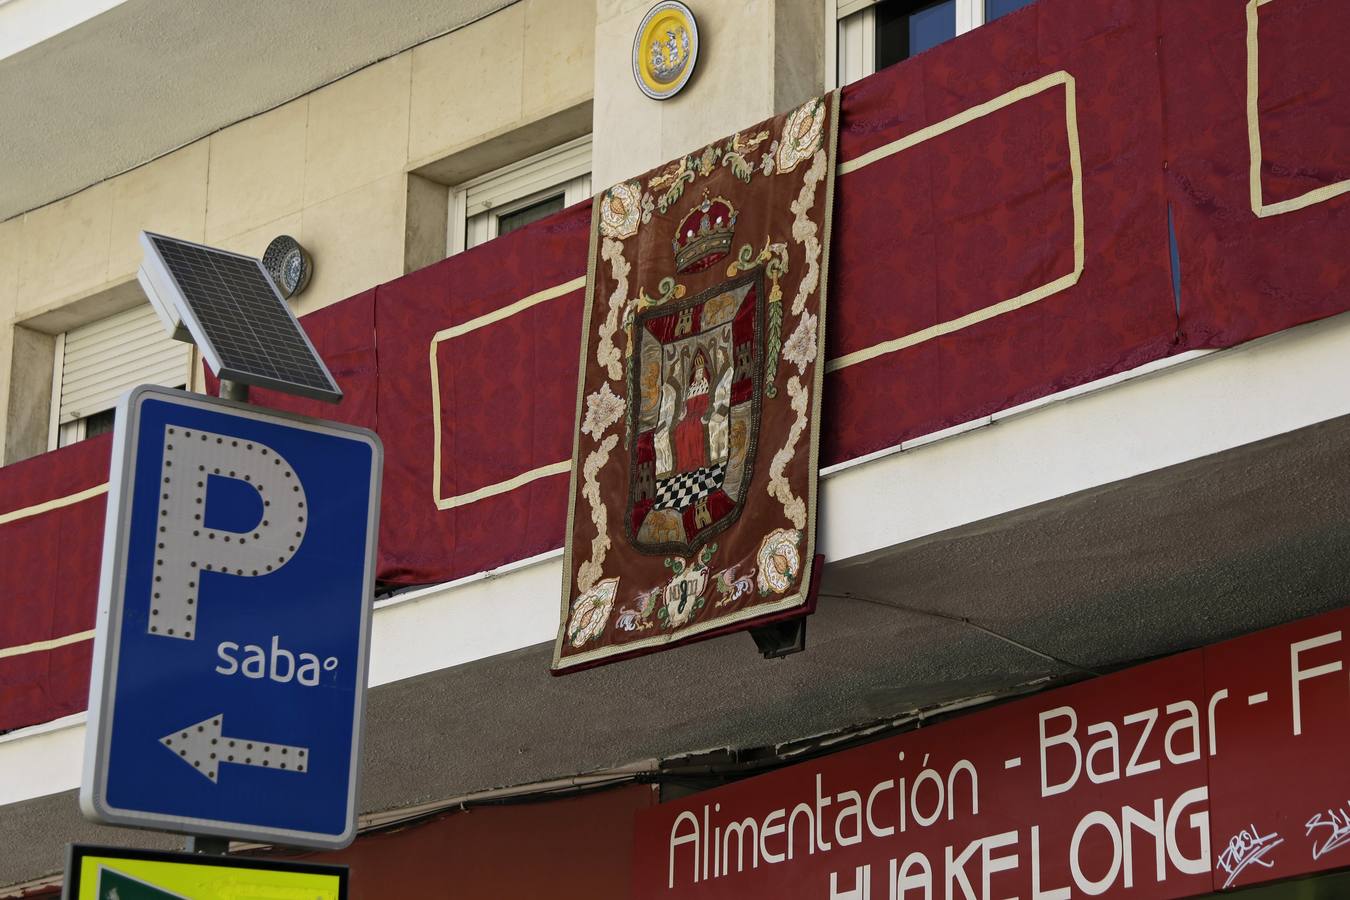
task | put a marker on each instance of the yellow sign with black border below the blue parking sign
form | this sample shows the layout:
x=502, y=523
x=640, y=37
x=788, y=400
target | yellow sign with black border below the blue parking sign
x=107, y=874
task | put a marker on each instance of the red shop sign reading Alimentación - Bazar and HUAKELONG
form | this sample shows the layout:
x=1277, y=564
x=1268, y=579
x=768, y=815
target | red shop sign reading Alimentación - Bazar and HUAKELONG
x=1212, y=770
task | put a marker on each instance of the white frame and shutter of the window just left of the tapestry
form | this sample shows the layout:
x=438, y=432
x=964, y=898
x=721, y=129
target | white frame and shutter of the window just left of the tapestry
x=476, y=206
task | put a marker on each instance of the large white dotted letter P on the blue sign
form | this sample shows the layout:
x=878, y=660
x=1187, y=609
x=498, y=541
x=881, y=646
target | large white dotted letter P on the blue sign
x=186, y=547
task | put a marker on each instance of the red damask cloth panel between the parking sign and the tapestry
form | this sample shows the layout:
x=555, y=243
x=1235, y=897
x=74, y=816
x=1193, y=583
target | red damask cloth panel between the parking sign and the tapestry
x=479, y=373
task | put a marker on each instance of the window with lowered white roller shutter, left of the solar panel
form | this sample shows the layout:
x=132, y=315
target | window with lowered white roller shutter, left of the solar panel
x=97, y=364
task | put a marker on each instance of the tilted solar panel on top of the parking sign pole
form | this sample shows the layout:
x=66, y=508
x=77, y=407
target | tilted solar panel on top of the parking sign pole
x=234, y=312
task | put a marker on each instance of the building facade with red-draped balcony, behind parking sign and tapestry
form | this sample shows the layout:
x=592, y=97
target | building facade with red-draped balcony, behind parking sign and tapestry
x=1083, y=426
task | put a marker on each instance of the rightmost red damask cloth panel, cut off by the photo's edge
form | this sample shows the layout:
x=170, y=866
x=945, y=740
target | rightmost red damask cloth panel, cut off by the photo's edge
x=1259, y=163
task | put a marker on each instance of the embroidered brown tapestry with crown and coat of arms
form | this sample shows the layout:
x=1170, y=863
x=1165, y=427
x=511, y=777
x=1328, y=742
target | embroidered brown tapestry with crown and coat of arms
x=695, y=466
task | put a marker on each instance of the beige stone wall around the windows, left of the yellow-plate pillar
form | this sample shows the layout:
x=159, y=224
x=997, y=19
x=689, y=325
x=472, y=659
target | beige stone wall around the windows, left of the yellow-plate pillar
x=330, y=169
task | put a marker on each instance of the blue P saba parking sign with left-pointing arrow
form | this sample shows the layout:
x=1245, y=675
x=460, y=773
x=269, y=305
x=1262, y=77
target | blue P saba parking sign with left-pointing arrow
x=234, y=623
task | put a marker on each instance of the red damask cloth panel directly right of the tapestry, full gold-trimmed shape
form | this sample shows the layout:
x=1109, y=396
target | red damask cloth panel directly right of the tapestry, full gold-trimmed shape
x=1002, y=223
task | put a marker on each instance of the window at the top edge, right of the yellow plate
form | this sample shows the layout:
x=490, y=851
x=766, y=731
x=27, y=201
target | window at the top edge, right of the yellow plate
x=874, y=34
